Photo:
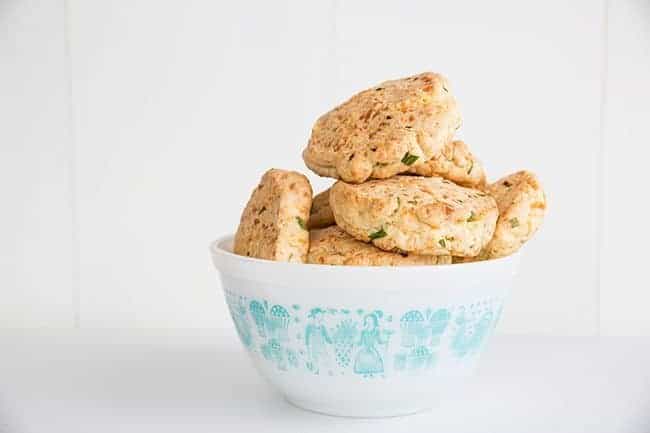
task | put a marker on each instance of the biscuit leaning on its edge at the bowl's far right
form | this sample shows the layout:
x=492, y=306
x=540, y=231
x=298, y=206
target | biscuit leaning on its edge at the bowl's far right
x=522, y=205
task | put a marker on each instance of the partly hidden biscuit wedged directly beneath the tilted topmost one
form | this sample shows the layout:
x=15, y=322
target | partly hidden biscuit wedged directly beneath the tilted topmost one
x=456, y=163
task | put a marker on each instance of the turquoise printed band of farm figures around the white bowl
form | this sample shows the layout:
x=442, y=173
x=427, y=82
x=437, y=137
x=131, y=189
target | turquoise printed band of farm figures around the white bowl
x=363, y=342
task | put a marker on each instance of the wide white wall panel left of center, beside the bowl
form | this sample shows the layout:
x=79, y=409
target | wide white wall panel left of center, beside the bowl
x=179, y=109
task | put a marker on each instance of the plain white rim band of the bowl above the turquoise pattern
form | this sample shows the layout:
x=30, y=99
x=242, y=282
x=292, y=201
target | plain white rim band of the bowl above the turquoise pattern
x=320, y=275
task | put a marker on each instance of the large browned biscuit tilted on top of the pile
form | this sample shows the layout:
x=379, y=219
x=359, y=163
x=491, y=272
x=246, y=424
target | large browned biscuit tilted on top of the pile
x=385, y=130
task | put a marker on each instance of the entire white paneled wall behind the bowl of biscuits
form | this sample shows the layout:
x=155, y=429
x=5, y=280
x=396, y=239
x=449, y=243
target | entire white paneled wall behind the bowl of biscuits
x=132, y=132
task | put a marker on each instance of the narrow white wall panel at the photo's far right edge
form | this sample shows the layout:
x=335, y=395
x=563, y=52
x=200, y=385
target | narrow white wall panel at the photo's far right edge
x=625, y=293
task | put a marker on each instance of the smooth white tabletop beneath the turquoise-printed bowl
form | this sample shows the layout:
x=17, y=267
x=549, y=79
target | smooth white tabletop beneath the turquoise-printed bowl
x=151, y=382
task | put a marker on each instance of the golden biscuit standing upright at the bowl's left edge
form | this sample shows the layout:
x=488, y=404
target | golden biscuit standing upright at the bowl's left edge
x=273, y=224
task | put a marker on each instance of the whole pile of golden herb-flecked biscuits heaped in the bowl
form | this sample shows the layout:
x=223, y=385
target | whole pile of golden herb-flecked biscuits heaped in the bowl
x=408, y=192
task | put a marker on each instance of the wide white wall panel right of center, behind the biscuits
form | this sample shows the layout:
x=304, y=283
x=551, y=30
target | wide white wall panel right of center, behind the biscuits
x=527, y=76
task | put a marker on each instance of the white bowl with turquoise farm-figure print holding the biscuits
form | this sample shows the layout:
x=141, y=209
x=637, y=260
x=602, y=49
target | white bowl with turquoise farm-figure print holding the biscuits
x=363, y=341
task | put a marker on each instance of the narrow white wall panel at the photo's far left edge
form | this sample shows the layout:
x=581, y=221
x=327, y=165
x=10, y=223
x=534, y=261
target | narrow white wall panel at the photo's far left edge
x=37, y=287
